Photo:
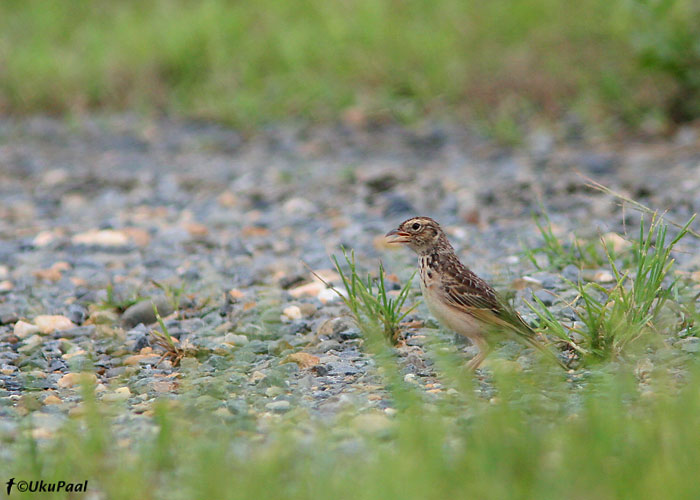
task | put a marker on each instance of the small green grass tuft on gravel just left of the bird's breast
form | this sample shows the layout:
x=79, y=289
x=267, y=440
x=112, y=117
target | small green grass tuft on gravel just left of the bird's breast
x=369, y=302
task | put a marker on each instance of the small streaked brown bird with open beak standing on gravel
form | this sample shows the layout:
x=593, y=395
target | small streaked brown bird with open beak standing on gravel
x=457, y=297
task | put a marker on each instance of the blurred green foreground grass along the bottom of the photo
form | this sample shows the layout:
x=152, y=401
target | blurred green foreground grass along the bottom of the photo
x=614, y=440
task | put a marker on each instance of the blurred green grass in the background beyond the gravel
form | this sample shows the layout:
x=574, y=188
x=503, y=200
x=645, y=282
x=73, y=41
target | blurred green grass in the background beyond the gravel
x=246, y=63
